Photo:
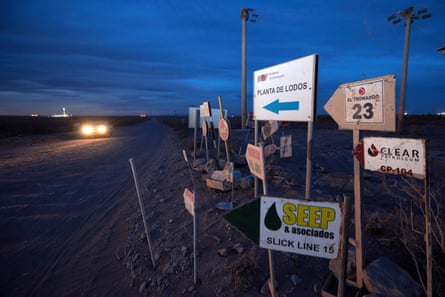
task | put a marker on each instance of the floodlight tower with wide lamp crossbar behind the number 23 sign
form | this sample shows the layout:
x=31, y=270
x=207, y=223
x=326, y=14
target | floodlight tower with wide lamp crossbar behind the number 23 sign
x=410, y=15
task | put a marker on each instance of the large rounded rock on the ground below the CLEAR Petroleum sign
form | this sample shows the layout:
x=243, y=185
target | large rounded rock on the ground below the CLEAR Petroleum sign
x=384, y=277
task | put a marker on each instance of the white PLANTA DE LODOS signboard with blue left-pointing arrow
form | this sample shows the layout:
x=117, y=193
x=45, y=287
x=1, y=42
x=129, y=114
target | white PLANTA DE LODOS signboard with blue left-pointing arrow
x=286, y=92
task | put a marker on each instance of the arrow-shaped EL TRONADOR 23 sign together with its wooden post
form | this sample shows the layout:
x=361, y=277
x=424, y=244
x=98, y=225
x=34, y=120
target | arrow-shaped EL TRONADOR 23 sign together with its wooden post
x=363, y=105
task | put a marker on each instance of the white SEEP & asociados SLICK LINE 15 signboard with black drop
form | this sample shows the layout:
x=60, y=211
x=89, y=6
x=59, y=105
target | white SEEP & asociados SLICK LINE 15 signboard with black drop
x=300, y=226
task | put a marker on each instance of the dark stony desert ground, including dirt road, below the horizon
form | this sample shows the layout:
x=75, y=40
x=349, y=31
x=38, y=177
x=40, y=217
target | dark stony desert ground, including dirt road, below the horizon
x=70, y=222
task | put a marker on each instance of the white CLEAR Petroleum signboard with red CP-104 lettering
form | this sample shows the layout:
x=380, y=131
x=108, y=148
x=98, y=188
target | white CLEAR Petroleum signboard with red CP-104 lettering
x=400, y=156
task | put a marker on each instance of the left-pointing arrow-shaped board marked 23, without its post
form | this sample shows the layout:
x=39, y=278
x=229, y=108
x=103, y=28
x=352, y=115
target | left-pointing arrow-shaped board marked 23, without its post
x=366, y=105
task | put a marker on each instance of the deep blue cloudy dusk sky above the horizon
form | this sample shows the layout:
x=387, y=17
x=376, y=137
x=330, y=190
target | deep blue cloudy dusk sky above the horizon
x=131, y=57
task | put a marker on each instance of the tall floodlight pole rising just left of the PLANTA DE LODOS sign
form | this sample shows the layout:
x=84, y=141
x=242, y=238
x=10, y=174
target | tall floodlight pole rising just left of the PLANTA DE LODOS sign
x=244, y=18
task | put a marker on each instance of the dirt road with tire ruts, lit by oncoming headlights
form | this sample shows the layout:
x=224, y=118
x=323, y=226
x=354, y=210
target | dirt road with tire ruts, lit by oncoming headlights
x=65, y=205
